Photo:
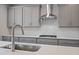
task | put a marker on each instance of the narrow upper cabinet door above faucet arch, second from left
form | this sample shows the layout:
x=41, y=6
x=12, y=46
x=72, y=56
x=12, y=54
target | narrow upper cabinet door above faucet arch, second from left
x=18, y=15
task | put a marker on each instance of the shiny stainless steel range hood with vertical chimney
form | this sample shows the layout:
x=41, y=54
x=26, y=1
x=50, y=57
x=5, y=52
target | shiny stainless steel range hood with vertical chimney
x=49, y=14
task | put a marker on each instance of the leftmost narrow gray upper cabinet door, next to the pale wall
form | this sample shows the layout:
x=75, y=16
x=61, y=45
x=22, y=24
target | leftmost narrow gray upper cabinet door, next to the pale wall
x=10, y=17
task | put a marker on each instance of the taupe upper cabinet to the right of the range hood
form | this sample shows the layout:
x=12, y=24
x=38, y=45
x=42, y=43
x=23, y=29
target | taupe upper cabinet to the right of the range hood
x=69, y=15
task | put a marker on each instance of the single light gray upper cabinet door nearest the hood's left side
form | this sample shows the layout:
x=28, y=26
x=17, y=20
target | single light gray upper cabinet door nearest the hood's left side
x=35, y=16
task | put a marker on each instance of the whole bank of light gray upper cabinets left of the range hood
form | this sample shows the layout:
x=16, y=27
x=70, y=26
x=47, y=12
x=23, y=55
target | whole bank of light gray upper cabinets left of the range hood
x=27, y=16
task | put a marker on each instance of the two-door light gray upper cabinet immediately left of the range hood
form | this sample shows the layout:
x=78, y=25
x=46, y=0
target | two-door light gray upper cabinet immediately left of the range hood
x=31, y=16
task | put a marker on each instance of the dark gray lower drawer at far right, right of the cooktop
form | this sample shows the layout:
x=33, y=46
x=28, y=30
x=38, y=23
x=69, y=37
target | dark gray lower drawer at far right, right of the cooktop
x=74, y=43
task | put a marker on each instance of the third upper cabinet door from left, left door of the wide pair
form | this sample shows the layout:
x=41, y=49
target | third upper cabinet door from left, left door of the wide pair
x=27, y=14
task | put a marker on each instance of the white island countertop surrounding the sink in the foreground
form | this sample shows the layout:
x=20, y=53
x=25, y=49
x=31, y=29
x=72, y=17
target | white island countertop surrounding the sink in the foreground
x=44, y=50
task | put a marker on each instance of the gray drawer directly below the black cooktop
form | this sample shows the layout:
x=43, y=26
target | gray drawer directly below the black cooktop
x=47, y=41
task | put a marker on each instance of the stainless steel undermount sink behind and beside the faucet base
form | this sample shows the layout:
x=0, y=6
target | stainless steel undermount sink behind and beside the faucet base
x=32, y=48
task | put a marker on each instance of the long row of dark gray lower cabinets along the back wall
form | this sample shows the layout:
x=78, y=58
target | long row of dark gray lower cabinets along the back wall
x=60, y=42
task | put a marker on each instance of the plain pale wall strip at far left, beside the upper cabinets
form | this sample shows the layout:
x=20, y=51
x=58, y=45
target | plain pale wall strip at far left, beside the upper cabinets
x=3, y=20
